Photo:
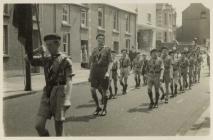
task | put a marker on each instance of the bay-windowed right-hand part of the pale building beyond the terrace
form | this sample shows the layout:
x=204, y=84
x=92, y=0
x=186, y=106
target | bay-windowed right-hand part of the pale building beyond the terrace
x=166, y=21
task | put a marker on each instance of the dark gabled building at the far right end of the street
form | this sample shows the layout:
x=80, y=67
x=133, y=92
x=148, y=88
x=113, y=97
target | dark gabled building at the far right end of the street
x=195, y=23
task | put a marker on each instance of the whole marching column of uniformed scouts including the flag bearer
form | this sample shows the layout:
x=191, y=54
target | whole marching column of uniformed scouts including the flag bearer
x=164, y=68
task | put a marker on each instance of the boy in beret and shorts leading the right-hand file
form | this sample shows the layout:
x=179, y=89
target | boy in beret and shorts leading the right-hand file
x=155, y=76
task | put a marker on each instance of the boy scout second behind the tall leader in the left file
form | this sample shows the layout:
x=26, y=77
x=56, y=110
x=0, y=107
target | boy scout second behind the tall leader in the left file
x=124, y=69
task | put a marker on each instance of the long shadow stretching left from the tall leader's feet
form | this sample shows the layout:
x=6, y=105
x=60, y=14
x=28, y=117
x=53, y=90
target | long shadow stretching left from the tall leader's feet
x=85, y=118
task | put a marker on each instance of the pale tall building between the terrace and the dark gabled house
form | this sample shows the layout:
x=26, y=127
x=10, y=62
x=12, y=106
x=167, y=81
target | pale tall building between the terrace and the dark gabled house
x=156, y=22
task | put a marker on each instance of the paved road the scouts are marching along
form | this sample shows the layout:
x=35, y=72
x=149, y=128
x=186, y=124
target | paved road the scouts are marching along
x=127, y=115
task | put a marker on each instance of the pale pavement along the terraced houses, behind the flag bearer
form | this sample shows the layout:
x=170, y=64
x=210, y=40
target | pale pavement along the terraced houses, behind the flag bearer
x=14, y=86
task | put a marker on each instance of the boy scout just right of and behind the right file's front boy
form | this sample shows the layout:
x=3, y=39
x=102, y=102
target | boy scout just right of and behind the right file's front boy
x=167, y=61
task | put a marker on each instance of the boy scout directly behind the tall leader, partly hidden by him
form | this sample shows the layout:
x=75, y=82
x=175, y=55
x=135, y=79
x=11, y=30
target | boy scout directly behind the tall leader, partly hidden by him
x=114, y=76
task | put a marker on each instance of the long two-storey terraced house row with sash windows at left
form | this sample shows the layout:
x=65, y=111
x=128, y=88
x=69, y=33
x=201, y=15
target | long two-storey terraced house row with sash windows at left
x=77, y=24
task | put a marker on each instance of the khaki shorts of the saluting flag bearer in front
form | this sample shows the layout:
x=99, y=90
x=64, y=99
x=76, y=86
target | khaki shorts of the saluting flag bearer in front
x=53, y=106
